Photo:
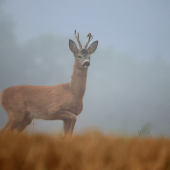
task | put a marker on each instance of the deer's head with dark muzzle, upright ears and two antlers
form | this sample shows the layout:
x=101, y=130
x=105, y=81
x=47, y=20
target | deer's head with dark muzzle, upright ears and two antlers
x=82, y=56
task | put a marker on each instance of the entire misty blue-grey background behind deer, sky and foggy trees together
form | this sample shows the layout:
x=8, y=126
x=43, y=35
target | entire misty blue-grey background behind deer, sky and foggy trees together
x=128, y=82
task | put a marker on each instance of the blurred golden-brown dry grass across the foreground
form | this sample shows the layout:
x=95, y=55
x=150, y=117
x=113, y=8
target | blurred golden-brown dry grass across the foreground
x=89, y=151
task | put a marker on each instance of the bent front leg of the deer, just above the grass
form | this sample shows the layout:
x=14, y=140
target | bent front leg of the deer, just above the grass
x=69, y=121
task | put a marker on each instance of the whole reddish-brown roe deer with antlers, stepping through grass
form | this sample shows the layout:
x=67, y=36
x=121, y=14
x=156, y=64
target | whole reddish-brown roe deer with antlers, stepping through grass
x=60, y=102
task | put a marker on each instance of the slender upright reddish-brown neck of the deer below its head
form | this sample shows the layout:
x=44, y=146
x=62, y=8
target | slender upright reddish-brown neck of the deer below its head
x=78, y=82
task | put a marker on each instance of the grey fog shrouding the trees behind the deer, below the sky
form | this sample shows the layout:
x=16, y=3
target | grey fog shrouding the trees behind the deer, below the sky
x=125, y=91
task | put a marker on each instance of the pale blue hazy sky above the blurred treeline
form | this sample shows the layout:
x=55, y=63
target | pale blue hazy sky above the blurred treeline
x=137, y=27
